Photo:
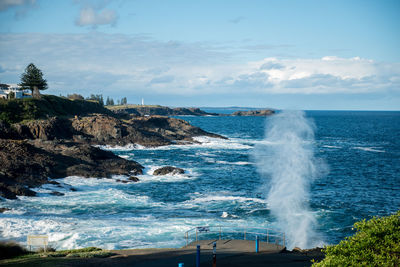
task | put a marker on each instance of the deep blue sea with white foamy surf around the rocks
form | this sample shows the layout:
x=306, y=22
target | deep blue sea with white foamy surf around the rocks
x=221, y=186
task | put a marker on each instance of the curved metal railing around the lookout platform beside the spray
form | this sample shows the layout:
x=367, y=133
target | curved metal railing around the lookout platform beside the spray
x=268, y=235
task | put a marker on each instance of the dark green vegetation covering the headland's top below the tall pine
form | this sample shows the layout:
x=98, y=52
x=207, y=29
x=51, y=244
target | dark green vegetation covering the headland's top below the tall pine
x=17, y=110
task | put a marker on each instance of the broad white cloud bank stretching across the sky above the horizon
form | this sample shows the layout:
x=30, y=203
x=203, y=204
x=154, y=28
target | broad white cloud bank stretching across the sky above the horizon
x=110, y=63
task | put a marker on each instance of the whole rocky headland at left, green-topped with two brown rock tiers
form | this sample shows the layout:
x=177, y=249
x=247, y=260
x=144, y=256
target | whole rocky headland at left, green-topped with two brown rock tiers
x=54, y=137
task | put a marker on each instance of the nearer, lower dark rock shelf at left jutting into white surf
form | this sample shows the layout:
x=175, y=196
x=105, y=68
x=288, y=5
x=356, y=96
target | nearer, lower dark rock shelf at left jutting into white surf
x=28, y=164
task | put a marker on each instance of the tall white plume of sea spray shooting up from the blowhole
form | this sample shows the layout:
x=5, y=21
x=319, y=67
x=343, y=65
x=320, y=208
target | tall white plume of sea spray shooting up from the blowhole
x=287, y=164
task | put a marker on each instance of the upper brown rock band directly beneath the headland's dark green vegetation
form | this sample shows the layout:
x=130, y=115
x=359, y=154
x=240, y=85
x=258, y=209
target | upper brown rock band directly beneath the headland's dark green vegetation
x=102, y=129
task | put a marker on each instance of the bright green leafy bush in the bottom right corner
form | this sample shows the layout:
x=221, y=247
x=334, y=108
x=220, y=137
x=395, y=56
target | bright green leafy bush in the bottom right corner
x=376, y=243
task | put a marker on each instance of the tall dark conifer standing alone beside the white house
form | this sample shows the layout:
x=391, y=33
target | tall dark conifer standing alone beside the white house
x=32, y=79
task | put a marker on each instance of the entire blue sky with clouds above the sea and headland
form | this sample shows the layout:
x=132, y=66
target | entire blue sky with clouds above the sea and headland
x=283, y=54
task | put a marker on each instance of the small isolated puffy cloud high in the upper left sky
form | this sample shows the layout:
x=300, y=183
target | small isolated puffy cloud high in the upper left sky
x=91, y=17
